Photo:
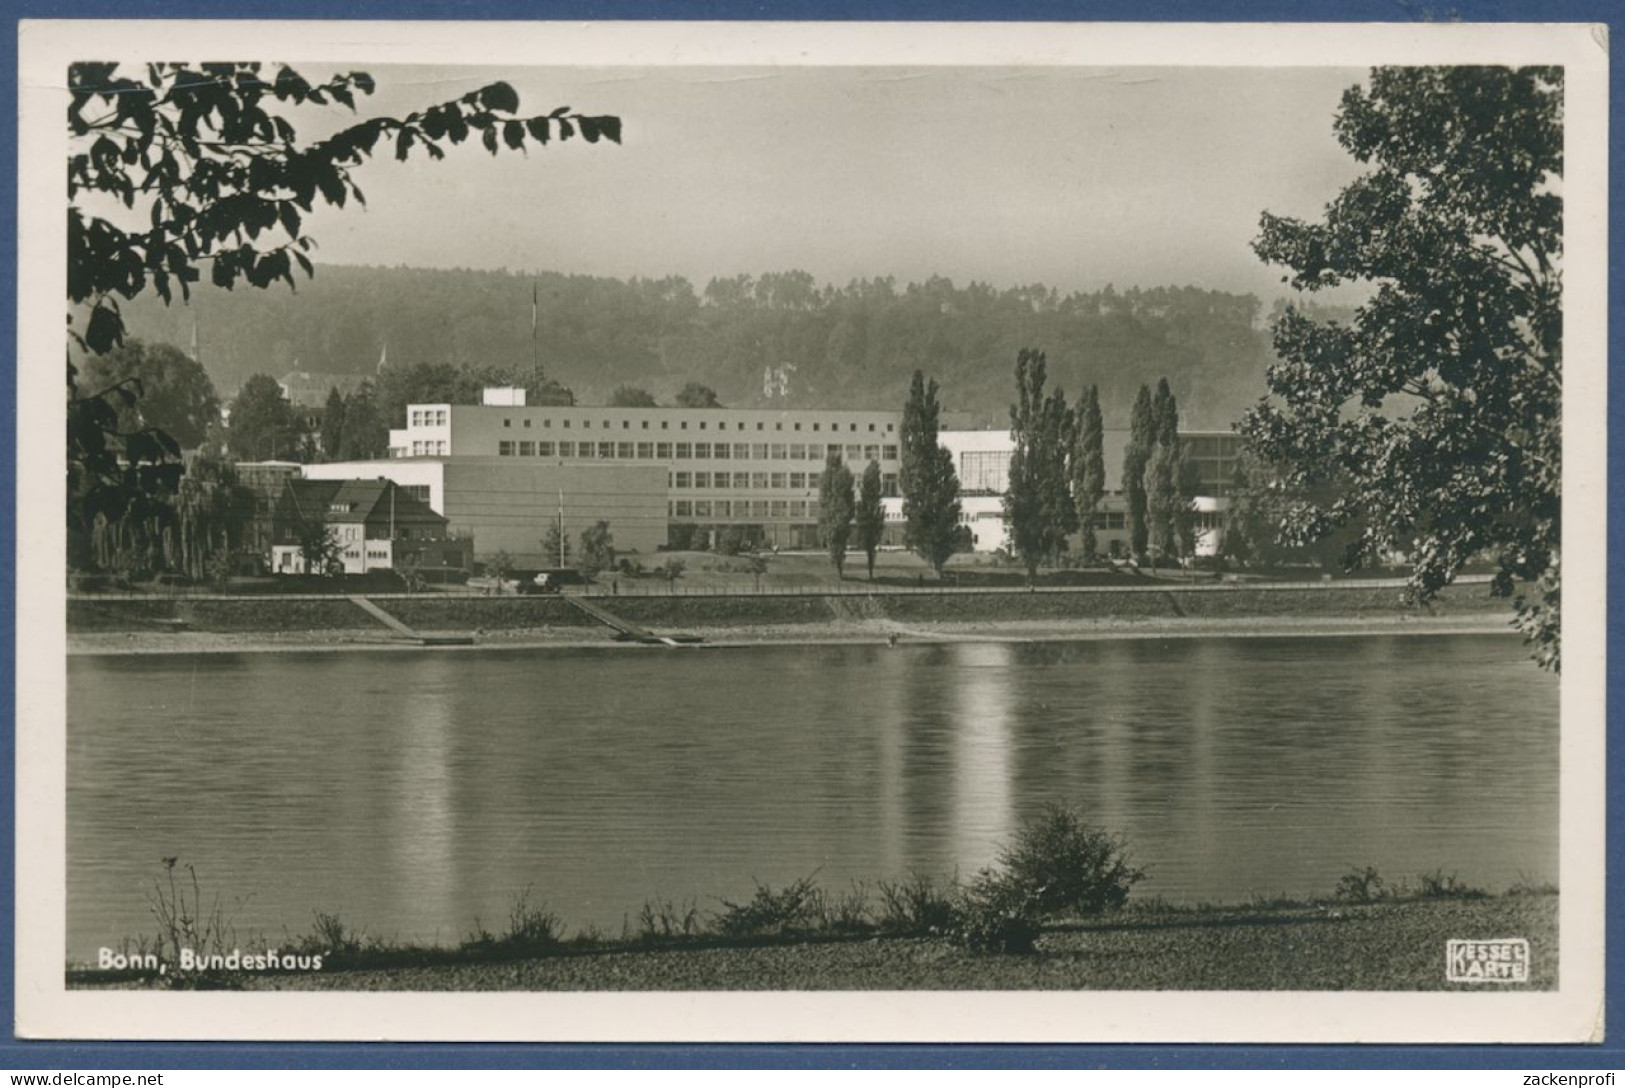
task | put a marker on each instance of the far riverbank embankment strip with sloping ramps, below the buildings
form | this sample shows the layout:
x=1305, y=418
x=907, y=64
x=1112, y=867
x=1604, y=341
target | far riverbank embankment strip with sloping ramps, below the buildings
x=199, y=624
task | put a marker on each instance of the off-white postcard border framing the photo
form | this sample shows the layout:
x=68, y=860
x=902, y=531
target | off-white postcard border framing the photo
x=46, y=1009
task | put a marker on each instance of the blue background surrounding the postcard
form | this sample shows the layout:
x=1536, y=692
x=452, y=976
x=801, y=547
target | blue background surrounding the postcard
x=87, y=1056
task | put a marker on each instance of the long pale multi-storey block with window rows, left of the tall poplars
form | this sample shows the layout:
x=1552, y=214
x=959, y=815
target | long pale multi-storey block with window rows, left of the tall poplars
x=639, y=468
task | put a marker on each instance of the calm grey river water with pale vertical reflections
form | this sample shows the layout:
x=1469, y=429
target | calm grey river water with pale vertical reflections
x=412, y=793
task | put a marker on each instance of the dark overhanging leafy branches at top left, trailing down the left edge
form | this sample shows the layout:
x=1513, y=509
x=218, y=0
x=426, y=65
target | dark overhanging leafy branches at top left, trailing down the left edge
x=183, y=168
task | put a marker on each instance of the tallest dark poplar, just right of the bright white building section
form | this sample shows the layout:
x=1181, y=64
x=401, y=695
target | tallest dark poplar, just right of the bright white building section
x=1039, y=501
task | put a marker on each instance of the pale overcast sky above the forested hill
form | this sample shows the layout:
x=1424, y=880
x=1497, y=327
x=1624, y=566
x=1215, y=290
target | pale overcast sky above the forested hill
x=1072, y=178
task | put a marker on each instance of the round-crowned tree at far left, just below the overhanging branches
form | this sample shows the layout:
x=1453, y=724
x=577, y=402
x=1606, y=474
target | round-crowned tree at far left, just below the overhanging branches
x=175, y=392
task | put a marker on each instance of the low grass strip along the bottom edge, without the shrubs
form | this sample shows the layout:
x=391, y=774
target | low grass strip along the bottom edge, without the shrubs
x=1311, y=946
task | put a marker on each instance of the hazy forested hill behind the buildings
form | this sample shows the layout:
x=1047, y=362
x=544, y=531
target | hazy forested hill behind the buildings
x=825, y=347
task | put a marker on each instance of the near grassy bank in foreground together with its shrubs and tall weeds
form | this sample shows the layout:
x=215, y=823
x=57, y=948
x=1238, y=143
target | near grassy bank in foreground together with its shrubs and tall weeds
x=1055, y=913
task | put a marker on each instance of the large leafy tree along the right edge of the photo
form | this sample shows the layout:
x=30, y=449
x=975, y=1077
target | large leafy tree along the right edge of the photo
x=1437, y=410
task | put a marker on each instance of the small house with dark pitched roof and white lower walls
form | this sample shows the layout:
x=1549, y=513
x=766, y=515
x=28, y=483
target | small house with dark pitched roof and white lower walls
x=371, y=525
